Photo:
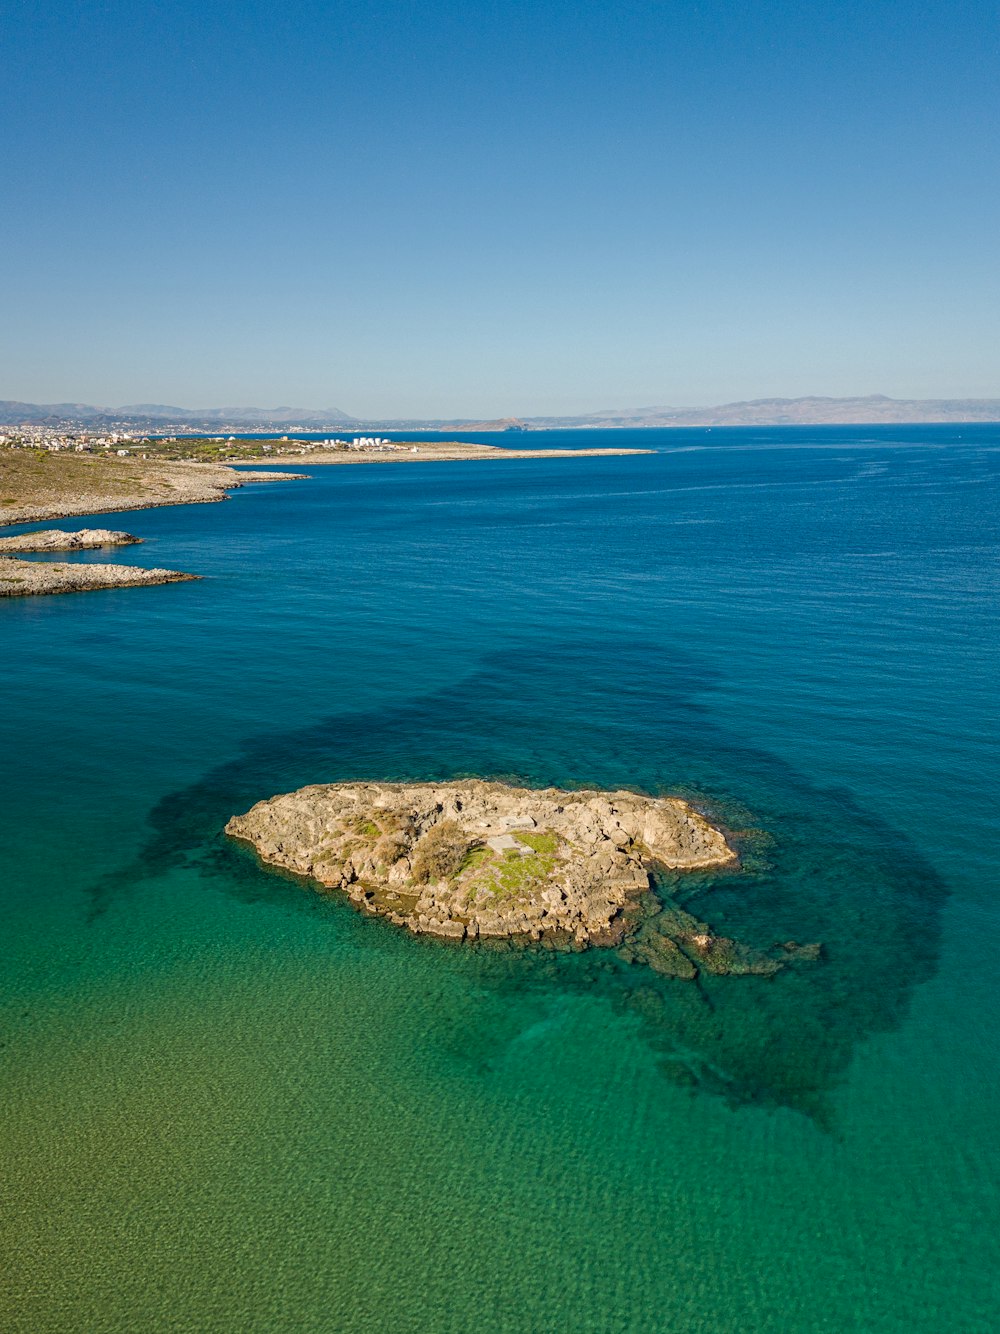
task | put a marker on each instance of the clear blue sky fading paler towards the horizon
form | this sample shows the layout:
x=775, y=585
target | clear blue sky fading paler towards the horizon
x=438, y=207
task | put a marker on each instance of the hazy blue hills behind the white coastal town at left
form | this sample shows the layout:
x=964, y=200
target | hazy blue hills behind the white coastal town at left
x=151, y=414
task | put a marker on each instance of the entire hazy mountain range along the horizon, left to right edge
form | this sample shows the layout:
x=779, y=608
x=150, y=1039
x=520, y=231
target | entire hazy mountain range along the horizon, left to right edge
x=807, y=412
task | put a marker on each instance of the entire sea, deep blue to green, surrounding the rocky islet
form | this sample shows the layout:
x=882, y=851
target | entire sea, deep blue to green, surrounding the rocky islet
x=233, y=1105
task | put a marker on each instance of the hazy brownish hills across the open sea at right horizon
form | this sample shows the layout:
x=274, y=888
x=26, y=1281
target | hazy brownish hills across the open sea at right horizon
x=807, y=412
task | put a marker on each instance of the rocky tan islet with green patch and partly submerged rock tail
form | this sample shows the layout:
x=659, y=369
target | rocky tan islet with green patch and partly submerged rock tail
x=478, y=860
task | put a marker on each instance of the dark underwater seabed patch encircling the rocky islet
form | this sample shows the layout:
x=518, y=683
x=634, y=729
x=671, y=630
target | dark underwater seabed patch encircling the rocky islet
x=821, y=866
